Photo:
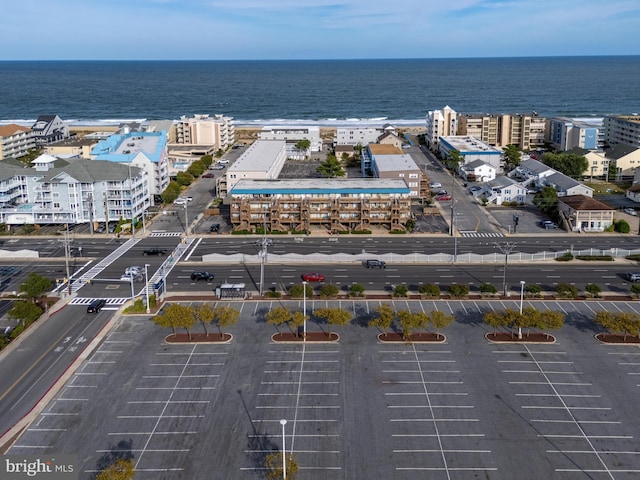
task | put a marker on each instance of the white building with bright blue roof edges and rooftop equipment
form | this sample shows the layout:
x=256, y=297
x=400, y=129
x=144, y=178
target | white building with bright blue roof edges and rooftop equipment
x=145, y=150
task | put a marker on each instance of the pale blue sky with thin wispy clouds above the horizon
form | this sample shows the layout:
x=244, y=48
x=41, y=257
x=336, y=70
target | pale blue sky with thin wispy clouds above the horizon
x=315, y=29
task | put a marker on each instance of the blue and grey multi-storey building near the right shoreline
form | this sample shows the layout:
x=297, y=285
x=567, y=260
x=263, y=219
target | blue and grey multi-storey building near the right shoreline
x=568, y=133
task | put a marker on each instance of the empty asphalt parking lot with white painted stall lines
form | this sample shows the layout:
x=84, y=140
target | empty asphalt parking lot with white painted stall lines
x=355, y=409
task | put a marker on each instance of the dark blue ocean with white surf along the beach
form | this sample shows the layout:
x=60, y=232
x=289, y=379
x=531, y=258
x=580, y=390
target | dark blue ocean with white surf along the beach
x=324, y=93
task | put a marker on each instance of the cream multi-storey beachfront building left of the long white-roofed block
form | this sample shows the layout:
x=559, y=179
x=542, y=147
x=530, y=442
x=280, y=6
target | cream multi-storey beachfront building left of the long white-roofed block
x=218, y=131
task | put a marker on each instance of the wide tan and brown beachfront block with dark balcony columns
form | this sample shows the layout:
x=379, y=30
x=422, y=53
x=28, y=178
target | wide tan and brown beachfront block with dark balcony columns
x=524, y=131
